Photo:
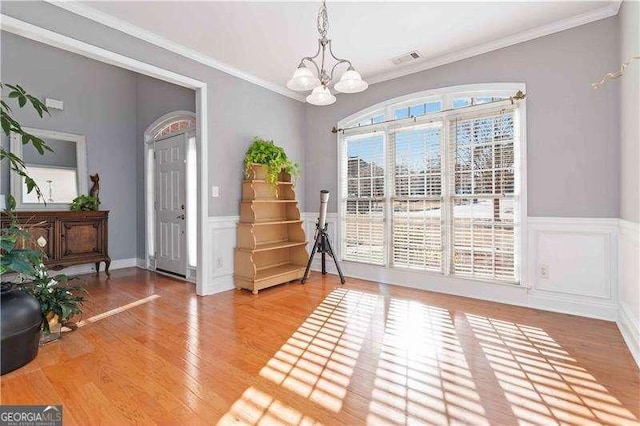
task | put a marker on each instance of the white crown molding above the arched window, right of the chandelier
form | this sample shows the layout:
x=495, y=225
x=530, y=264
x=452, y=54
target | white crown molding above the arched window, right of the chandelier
x=544, y=30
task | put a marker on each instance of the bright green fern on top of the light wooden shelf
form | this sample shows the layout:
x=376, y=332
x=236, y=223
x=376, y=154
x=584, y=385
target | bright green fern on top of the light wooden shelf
x=273, y=157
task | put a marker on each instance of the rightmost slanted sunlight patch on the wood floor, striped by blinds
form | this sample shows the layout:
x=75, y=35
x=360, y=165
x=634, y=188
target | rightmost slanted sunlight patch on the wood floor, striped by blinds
x=541, y=381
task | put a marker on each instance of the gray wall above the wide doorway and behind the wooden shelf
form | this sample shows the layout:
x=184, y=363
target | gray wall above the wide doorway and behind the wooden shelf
x=238, y=110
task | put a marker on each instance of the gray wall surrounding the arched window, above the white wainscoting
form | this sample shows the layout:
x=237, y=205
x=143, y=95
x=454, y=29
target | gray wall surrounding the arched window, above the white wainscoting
x=572, y=130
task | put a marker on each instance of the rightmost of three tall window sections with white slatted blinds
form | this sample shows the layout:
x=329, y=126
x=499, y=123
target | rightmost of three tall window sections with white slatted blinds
x=483, y=199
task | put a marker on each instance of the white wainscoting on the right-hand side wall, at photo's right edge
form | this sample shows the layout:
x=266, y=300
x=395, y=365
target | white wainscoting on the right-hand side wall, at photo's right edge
x=629, y=285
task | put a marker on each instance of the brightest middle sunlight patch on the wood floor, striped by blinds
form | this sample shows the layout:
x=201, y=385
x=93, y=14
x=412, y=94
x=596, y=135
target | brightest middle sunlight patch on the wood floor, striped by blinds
x=422, y=374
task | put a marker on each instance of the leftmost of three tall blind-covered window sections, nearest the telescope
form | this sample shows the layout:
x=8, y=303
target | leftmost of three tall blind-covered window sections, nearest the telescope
x=363, y=172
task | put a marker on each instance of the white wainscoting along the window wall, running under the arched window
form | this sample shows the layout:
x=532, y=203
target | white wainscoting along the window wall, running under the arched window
x=580, y=255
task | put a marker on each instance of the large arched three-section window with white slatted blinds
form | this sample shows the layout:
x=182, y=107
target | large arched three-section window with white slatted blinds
x=434, y=186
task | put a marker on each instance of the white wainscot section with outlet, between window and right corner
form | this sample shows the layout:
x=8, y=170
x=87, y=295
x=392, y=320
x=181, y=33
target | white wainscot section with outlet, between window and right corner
x=580, y=255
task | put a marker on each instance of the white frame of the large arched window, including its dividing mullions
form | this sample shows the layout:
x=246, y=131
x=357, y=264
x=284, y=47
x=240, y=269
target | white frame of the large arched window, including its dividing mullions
x=446, y=94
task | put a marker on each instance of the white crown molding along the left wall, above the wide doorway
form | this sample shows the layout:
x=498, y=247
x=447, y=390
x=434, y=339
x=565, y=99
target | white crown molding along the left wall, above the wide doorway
x=162, y=42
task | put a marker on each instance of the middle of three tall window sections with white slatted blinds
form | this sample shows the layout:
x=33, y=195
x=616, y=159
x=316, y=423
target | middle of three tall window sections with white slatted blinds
x=417, y=202
